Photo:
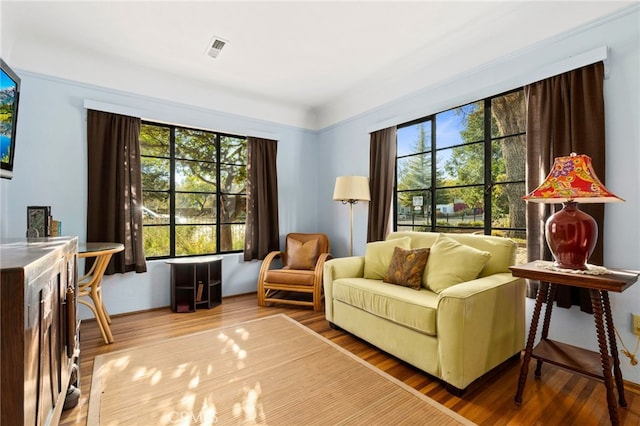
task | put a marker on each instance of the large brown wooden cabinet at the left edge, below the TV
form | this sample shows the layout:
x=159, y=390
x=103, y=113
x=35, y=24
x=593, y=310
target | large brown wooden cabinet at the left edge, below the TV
x=38, y=328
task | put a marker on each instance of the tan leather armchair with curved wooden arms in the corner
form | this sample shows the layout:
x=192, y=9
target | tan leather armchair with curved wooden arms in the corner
x=303, y=262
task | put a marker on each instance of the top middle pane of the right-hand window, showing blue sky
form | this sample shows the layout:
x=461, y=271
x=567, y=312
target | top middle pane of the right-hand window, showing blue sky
x=460, y=125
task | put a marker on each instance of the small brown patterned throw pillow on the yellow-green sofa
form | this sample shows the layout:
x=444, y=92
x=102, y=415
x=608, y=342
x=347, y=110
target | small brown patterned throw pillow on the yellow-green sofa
x=406, y=267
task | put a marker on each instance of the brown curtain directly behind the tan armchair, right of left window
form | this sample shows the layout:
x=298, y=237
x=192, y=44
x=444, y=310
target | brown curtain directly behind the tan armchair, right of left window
x=262, y=233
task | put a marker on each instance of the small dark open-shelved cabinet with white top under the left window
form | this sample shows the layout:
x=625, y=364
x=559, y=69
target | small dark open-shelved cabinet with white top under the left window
x=196, y=282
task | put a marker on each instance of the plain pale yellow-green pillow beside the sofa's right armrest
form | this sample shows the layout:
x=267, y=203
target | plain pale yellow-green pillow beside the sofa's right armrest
x=451, y=263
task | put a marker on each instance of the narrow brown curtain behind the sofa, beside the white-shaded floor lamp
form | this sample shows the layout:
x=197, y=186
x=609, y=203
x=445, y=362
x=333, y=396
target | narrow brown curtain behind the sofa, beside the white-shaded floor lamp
x=382, y=162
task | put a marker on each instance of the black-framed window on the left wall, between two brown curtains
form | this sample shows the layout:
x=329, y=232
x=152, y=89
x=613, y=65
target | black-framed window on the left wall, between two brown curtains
x=194, y=191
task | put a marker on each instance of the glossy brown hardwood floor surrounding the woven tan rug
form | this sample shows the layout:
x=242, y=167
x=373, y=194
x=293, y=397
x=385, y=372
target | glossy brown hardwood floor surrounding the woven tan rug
x=559, y=398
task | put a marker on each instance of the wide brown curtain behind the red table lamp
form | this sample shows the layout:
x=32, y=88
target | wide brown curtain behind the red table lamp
x=565, y=114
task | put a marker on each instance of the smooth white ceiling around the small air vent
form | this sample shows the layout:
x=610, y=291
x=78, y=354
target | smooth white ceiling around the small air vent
x=307, y=55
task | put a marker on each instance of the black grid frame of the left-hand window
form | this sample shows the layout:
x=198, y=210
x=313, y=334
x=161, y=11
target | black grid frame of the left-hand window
x=172, y=192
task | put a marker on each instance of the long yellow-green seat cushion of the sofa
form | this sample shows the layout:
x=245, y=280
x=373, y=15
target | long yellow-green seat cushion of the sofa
x=402, y=305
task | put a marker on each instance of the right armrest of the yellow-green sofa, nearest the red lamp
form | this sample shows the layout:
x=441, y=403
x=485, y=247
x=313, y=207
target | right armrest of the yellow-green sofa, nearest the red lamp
x=480, y=324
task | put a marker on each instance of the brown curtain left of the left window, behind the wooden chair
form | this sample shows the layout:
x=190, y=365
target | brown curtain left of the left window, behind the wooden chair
x=114, y=207
